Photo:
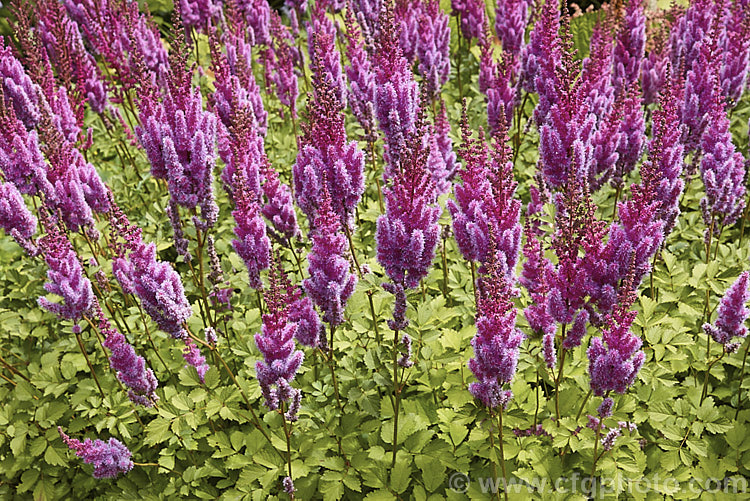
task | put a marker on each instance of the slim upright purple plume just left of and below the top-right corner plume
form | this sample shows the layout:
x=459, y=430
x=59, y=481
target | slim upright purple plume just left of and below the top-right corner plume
x=700, y=93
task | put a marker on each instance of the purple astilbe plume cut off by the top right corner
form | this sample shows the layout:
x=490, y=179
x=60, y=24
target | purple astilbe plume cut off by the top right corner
x=736, y=51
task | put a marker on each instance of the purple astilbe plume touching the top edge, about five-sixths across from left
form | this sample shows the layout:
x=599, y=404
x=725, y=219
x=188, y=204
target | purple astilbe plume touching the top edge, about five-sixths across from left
x=630, y=47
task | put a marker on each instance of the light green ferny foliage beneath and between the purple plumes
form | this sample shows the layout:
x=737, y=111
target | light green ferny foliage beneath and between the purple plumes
x=207, y=448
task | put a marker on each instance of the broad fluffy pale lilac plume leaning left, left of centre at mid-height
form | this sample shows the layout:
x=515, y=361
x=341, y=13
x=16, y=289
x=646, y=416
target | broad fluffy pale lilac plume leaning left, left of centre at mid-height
x=156, y=284
